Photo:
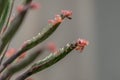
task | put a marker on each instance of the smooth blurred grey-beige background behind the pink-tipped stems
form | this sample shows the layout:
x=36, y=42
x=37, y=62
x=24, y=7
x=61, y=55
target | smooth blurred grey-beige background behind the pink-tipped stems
x=95, y=20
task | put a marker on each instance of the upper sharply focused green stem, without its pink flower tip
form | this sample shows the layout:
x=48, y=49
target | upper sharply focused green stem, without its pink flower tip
x=45, y=33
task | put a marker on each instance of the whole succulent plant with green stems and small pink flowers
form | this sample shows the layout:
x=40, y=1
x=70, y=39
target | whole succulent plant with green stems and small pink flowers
x=17, y=60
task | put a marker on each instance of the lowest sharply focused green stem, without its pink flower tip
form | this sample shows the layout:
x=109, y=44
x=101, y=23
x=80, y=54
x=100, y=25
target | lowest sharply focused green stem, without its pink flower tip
x=48, y=61
